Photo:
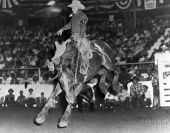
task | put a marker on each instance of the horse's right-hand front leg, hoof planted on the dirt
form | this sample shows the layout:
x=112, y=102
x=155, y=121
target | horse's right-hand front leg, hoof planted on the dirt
x=70, y=97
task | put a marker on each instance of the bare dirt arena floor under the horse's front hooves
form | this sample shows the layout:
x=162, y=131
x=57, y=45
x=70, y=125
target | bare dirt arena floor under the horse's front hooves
x=100, y=121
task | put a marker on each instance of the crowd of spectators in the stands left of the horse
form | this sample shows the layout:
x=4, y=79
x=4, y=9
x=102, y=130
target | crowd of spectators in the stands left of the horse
x=22, y=48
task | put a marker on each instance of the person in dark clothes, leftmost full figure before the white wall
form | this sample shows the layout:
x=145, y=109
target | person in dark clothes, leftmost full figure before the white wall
x=10, y=99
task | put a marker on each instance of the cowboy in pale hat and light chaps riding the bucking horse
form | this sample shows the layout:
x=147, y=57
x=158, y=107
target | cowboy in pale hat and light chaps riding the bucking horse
x=78, y=27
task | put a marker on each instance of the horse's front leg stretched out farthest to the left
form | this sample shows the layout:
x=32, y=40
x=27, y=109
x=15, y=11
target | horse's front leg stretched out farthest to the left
x=41, y=117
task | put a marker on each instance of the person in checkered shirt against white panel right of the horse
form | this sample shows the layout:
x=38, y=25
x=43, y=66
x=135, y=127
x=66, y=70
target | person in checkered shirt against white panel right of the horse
x=135, y=93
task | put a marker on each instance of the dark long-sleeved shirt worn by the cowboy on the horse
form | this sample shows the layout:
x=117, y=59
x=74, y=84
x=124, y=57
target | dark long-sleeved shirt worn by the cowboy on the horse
x=77, y=24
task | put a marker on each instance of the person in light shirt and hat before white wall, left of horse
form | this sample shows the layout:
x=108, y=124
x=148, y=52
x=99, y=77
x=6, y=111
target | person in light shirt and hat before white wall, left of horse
x=30, y=100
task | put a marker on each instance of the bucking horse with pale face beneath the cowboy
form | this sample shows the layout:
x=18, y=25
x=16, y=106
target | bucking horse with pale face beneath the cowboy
x=70, y=77
